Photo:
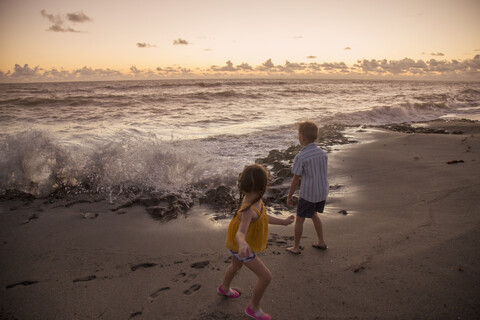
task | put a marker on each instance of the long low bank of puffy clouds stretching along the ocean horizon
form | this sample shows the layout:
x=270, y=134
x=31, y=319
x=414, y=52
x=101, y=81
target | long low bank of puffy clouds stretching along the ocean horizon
x=406, y=68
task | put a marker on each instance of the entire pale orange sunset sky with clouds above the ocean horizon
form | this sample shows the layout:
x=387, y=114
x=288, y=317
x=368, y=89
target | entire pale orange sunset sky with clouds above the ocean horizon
x=49, y=40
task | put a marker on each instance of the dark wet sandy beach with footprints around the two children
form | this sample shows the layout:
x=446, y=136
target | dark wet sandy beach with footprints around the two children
x=408, y=247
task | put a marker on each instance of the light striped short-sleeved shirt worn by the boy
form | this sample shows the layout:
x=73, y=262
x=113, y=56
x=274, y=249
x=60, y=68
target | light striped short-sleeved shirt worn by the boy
x=311, y=164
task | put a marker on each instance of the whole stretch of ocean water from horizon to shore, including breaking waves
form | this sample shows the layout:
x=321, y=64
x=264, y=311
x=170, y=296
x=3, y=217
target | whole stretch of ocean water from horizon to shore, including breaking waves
x=169, y=136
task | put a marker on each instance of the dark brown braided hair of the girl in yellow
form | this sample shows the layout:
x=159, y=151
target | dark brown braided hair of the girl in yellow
x=254, y=178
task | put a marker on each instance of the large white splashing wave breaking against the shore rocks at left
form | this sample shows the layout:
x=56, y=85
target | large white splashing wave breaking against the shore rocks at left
x=36, y=162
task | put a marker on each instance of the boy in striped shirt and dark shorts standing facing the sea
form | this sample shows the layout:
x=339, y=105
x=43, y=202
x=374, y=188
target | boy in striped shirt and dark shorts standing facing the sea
x=309, y=166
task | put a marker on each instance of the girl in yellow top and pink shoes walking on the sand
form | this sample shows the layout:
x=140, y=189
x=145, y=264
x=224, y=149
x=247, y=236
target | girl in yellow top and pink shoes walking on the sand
x=247, y=235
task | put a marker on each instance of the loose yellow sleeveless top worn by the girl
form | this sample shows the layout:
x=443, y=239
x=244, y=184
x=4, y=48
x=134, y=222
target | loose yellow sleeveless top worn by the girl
x=257, y=233
